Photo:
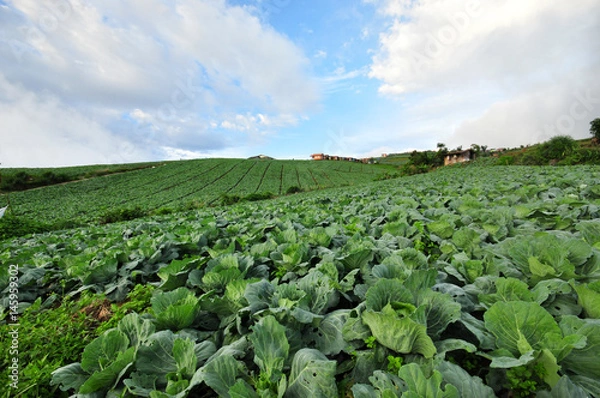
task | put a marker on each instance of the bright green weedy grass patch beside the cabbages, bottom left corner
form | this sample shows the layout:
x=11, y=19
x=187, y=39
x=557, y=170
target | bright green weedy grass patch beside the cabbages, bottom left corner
x=56, y=335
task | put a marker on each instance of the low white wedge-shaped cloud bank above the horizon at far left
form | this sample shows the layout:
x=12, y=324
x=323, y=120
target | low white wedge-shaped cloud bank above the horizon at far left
x=39, y=130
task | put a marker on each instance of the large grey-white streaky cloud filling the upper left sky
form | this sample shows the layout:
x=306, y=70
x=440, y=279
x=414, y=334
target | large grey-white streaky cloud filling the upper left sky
x=171, y=68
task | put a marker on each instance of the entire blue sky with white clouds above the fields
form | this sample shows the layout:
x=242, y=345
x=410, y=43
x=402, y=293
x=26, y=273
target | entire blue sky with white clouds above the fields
x=115, y=81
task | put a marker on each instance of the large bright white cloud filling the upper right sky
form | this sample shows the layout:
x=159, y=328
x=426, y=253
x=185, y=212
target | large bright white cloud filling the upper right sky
x=500, y=70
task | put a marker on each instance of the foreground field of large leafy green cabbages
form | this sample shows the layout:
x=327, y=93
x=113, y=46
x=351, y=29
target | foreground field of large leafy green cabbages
x=465, y=282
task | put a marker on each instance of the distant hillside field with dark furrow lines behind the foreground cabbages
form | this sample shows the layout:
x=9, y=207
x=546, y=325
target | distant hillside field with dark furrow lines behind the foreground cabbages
x=175, y=185
